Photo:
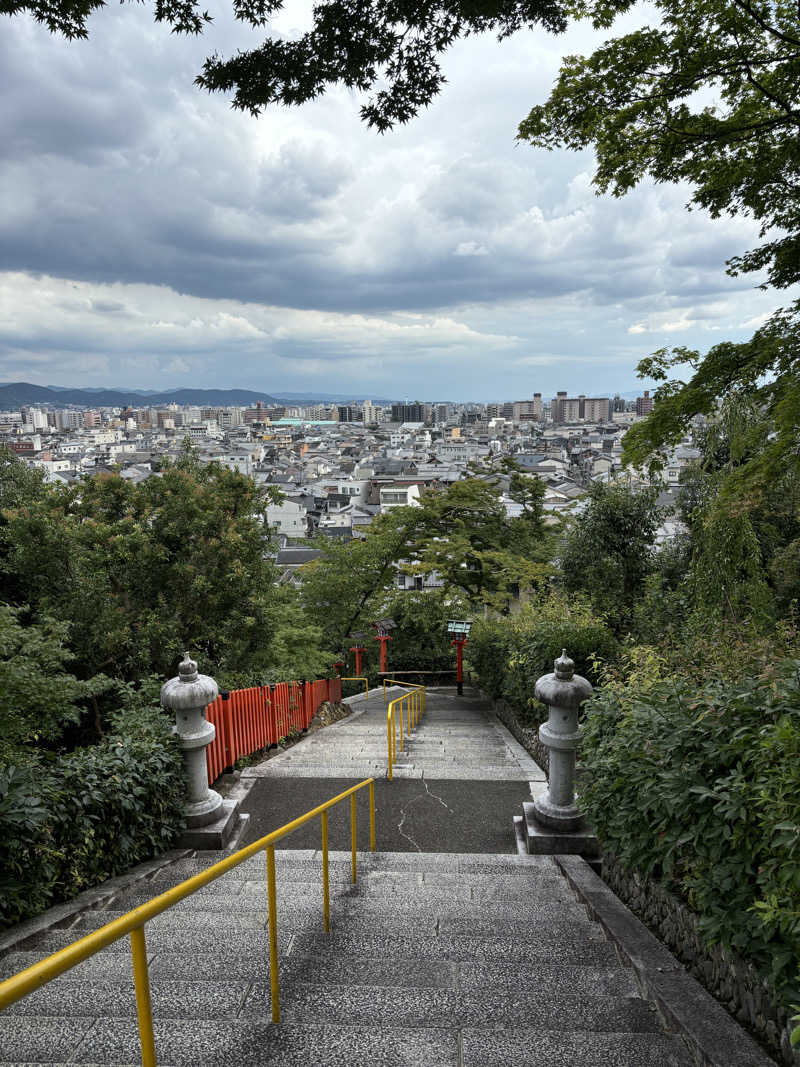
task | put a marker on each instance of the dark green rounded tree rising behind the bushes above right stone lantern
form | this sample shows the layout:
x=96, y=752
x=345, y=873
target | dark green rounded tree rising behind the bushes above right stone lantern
x=609, y=552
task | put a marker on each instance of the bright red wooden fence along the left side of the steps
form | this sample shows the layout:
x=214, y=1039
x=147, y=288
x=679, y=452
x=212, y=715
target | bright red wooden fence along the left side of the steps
x=251, y=720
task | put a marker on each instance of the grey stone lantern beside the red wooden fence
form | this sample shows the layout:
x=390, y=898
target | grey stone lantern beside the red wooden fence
x=188, y=696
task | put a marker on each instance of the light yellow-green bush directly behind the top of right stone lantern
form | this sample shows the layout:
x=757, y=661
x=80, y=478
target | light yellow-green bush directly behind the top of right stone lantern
x=510, y=655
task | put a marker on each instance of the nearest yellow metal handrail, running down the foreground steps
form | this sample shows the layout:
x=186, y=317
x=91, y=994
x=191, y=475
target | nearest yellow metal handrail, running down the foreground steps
x=39, y=975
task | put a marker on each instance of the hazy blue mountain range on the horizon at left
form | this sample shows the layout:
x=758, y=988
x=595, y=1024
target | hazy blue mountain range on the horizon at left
x=19, y=394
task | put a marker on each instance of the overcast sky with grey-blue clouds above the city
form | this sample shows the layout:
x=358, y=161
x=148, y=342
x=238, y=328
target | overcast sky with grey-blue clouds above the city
x=151, y=237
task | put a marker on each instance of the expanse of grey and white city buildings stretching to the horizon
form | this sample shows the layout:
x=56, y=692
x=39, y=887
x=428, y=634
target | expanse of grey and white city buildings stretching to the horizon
x=339, y=466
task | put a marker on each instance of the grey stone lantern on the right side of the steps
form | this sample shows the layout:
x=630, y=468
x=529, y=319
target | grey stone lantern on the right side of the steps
x=564, y=692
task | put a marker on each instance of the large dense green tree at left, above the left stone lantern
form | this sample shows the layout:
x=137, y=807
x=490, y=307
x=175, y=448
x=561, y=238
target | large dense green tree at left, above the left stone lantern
x=141, y=572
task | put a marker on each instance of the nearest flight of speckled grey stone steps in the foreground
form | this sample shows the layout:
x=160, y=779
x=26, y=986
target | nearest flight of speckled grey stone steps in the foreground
x=434, y=960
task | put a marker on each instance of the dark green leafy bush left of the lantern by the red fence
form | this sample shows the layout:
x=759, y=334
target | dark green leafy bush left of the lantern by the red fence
x=91, y=815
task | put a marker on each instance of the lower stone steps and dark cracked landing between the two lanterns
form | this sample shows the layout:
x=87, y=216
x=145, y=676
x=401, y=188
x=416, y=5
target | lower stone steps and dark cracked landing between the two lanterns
x=455, y=788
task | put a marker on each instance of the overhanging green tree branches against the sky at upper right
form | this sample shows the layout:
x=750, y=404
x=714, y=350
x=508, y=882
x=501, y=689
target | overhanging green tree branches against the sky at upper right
x=642, y=101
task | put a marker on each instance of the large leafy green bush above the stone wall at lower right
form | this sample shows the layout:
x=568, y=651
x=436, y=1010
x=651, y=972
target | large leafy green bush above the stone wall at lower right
x=700, y=787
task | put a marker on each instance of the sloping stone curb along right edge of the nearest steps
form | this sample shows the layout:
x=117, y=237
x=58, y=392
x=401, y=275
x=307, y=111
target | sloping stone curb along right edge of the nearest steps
x=713, y=1037
